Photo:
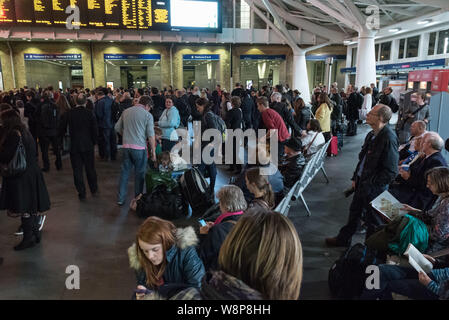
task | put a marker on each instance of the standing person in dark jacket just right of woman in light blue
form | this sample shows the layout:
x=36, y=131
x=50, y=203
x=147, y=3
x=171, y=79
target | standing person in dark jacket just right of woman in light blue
x=209, y=120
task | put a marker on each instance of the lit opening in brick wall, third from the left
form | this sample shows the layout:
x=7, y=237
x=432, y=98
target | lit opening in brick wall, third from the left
x=201, y=73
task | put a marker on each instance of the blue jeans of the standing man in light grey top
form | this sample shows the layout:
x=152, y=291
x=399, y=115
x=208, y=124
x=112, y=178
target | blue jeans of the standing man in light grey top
x=138, y=159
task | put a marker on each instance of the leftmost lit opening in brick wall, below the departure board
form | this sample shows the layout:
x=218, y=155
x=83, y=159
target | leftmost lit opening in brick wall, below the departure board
x=54, y=72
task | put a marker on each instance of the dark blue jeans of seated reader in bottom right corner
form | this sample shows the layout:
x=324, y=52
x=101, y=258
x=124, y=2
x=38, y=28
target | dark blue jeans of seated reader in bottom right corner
x=400, y=280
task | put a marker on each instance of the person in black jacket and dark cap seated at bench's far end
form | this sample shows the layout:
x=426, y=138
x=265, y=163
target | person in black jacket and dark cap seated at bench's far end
x=291, y=167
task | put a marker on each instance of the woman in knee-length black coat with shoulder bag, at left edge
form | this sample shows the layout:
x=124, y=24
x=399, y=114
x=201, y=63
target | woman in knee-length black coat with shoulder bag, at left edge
x=24, y=195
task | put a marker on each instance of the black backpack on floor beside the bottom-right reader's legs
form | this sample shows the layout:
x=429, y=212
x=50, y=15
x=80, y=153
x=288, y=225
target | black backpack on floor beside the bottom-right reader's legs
x=347, y=275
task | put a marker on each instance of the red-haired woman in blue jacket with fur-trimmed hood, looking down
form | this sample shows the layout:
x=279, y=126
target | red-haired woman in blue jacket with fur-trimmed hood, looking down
x=164, y=258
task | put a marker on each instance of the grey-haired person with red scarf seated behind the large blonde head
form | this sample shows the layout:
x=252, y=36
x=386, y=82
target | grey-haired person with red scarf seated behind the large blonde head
x=232, y=205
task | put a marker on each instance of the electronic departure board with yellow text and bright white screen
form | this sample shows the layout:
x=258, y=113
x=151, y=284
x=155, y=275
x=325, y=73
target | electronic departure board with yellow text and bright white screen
x=193, y=15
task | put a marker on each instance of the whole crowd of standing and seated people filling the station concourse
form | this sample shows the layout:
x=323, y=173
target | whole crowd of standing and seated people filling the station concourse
x=248, y=251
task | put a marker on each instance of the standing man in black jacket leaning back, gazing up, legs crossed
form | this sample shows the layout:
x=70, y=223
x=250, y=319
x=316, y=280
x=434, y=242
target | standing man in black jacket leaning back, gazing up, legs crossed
x=376, y=169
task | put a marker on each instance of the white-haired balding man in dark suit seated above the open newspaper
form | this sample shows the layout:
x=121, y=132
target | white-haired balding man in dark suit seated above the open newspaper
x=412, y=189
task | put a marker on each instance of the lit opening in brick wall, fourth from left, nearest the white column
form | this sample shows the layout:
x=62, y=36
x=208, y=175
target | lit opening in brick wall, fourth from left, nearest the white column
x=262, y=72
